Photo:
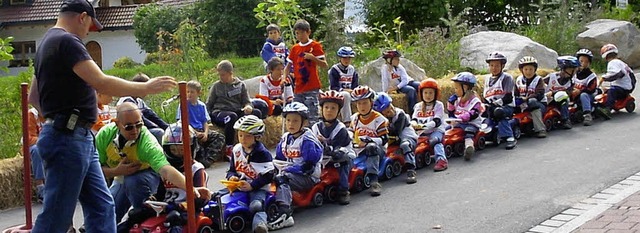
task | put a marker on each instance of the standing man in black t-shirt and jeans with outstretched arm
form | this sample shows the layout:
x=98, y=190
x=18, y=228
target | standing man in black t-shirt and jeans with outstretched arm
x=63, y=90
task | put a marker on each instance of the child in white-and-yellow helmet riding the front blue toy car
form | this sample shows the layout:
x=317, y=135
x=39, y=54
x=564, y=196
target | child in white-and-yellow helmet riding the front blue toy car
x=251, y=164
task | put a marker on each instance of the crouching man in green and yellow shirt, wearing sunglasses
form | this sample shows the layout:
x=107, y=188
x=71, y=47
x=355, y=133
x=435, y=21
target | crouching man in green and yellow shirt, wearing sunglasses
x=131, y=155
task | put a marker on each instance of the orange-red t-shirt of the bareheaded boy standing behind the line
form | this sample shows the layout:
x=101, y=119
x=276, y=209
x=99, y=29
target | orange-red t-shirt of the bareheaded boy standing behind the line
x=305, y=71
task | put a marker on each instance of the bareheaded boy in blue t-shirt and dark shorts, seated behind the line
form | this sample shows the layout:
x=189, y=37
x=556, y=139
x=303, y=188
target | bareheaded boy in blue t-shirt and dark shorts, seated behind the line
x=210, y=141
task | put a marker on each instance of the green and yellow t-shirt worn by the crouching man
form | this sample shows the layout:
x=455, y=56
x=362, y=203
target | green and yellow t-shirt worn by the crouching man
x=146, y=149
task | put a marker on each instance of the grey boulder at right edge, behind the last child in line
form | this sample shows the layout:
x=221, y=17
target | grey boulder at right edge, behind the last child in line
x=623, y=34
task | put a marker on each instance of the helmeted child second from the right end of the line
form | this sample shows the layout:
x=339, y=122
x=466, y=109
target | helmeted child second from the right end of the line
x=584, y=85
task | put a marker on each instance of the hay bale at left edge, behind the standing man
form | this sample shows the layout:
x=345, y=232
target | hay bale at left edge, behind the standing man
x=12, y=182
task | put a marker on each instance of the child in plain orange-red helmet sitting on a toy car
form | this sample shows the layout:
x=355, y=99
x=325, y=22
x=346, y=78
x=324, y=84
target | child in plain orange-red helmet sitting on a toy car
x=427, y=119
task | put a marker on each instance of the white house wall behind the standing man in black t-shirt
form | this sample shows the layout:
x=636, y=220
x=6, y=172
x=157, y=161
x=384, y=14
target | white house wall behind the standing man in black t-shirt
x=114, y=44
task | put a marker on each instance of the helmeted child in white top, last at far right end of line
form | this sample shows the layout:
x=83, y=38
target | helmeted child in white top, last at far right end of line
x=622, y=78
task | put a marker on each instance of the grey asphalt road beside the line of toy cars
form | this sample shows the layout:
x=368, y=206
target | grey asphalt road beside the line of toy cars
x=498, y=191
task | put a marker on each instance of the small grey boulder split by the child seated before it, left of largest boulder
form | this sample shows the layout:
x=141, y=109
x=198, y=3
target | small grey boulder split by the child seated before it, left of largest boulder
x=370, y=74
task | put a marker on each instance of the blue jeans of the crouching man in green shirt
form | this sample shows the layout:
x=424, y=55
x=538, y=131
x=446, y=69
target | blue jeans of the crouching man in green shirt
x=134, y=191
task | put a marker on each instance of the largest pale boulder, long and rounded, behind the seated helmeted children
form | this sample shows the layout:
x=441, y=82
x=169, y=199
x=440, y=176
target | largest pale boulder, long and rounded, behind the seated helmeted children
x=475, y=48
